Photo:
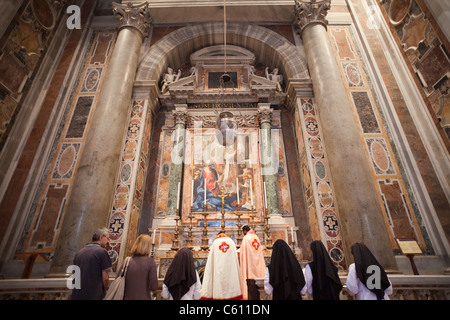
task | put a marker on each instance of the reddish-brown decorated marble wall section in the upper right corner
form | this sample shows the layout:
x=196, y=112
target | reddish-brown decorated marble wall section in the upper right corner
x=426, y=51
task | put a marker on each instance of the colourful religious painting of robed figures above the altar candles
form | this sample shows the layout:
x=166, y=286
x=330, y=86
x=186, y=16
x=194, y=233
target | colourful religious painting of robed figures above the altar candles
x=224, y=177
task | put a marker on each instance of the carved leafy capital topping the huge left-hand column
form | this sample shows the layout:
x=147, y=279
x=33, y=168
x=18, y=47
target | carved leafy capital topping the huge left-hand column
x=137, y=16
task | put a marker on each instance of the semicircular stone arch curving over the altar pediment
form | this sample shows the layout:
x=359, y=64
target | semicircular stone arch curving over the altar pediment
x=268, y=46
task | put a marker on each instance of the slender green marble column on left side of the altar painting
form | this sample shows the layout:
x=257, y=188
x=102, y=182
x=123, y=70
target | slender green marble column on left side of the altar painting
x=176, y=167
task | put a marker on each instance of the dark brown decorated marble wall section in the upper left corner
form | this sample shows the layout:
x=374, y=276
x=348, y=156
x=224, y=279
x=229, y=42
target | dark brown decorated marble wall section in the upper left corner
x=21, y=51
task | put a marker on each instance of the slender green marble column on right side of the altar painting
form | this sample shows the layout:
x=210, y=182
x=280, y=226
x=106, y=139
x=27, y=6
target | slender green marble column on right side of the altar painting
x=268, y=157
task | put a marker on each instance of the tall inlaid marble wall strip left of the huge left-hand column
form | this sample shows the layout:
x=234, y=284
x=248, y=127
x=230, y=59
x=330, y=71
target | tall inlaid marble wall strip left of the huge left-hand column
x=68, y=147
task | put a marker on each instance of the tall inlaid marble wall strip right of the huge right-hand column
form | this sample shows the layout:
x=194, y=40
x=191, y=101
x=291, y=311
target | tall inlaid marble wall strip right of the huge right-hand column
x=396, y=205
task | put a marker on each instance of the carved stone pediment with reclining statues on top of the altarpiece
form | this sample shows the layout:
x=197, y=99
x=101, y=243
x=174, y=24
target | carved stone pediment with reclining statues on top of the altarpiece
x=198, y=80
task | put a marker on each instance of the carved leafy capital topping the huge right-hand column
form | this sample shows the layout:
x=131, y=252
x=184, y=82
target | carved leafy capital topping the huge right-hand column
x=310, y=11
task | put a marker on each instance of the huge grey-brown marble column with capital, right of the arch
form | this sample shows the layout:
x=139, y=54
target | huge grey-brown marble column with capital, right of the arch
x=361, y=217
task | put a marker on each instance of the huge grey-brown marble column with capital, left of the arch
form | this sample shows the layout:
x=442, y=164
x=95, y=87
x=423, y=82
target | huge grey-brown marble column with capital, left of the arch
x=92, y=192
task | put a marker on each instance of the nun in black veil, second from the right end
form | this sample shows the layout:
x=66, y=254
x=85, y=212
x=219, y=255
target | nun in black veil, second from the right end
x=322, y=275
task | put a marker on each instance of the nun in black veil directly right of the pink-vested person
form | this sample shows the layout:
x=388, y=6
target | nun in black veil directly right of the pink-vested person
x=284, y=277
